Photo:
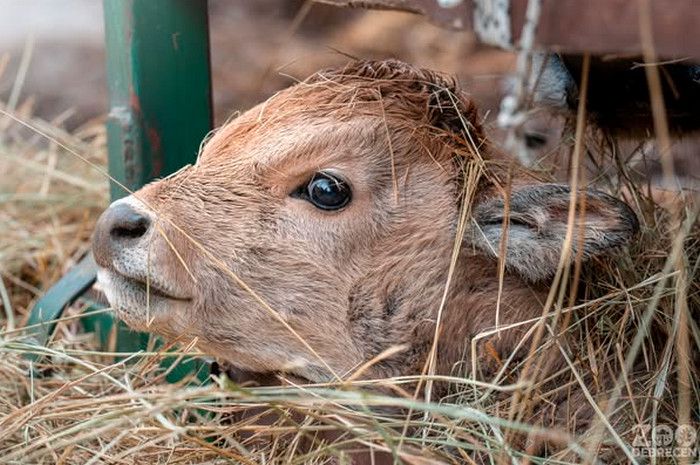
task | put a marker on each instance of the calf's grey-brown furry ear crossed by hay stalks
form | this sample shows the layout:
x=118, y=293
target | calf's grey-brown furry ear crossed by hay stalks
x=537, y=225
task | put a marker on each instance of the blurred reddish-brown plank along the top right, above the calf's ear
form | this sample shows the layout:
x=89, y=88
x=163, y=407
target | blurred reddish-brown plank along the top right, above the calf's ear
x=574, y=26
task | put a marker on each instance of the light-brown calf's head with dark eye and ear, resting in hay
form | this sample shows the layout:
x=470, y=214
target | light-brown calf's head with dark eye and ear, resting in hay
x=317, y=230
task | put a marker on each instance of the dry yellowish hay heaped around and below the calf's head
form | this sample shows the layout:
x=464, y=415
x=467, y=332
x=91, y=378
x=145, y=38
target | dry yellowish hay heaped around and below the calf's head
x=97, y=406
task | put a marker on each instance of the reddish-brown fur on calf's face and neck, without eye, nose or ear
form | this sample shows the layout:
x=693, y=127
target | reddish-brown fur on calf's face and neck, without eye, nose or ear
x=354, y=283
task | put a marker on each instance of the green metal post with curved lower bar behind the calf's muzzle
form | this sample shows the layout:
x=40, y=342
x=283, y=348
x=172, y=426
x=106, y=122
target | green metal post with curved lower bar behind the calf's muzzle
x=160, y=111
